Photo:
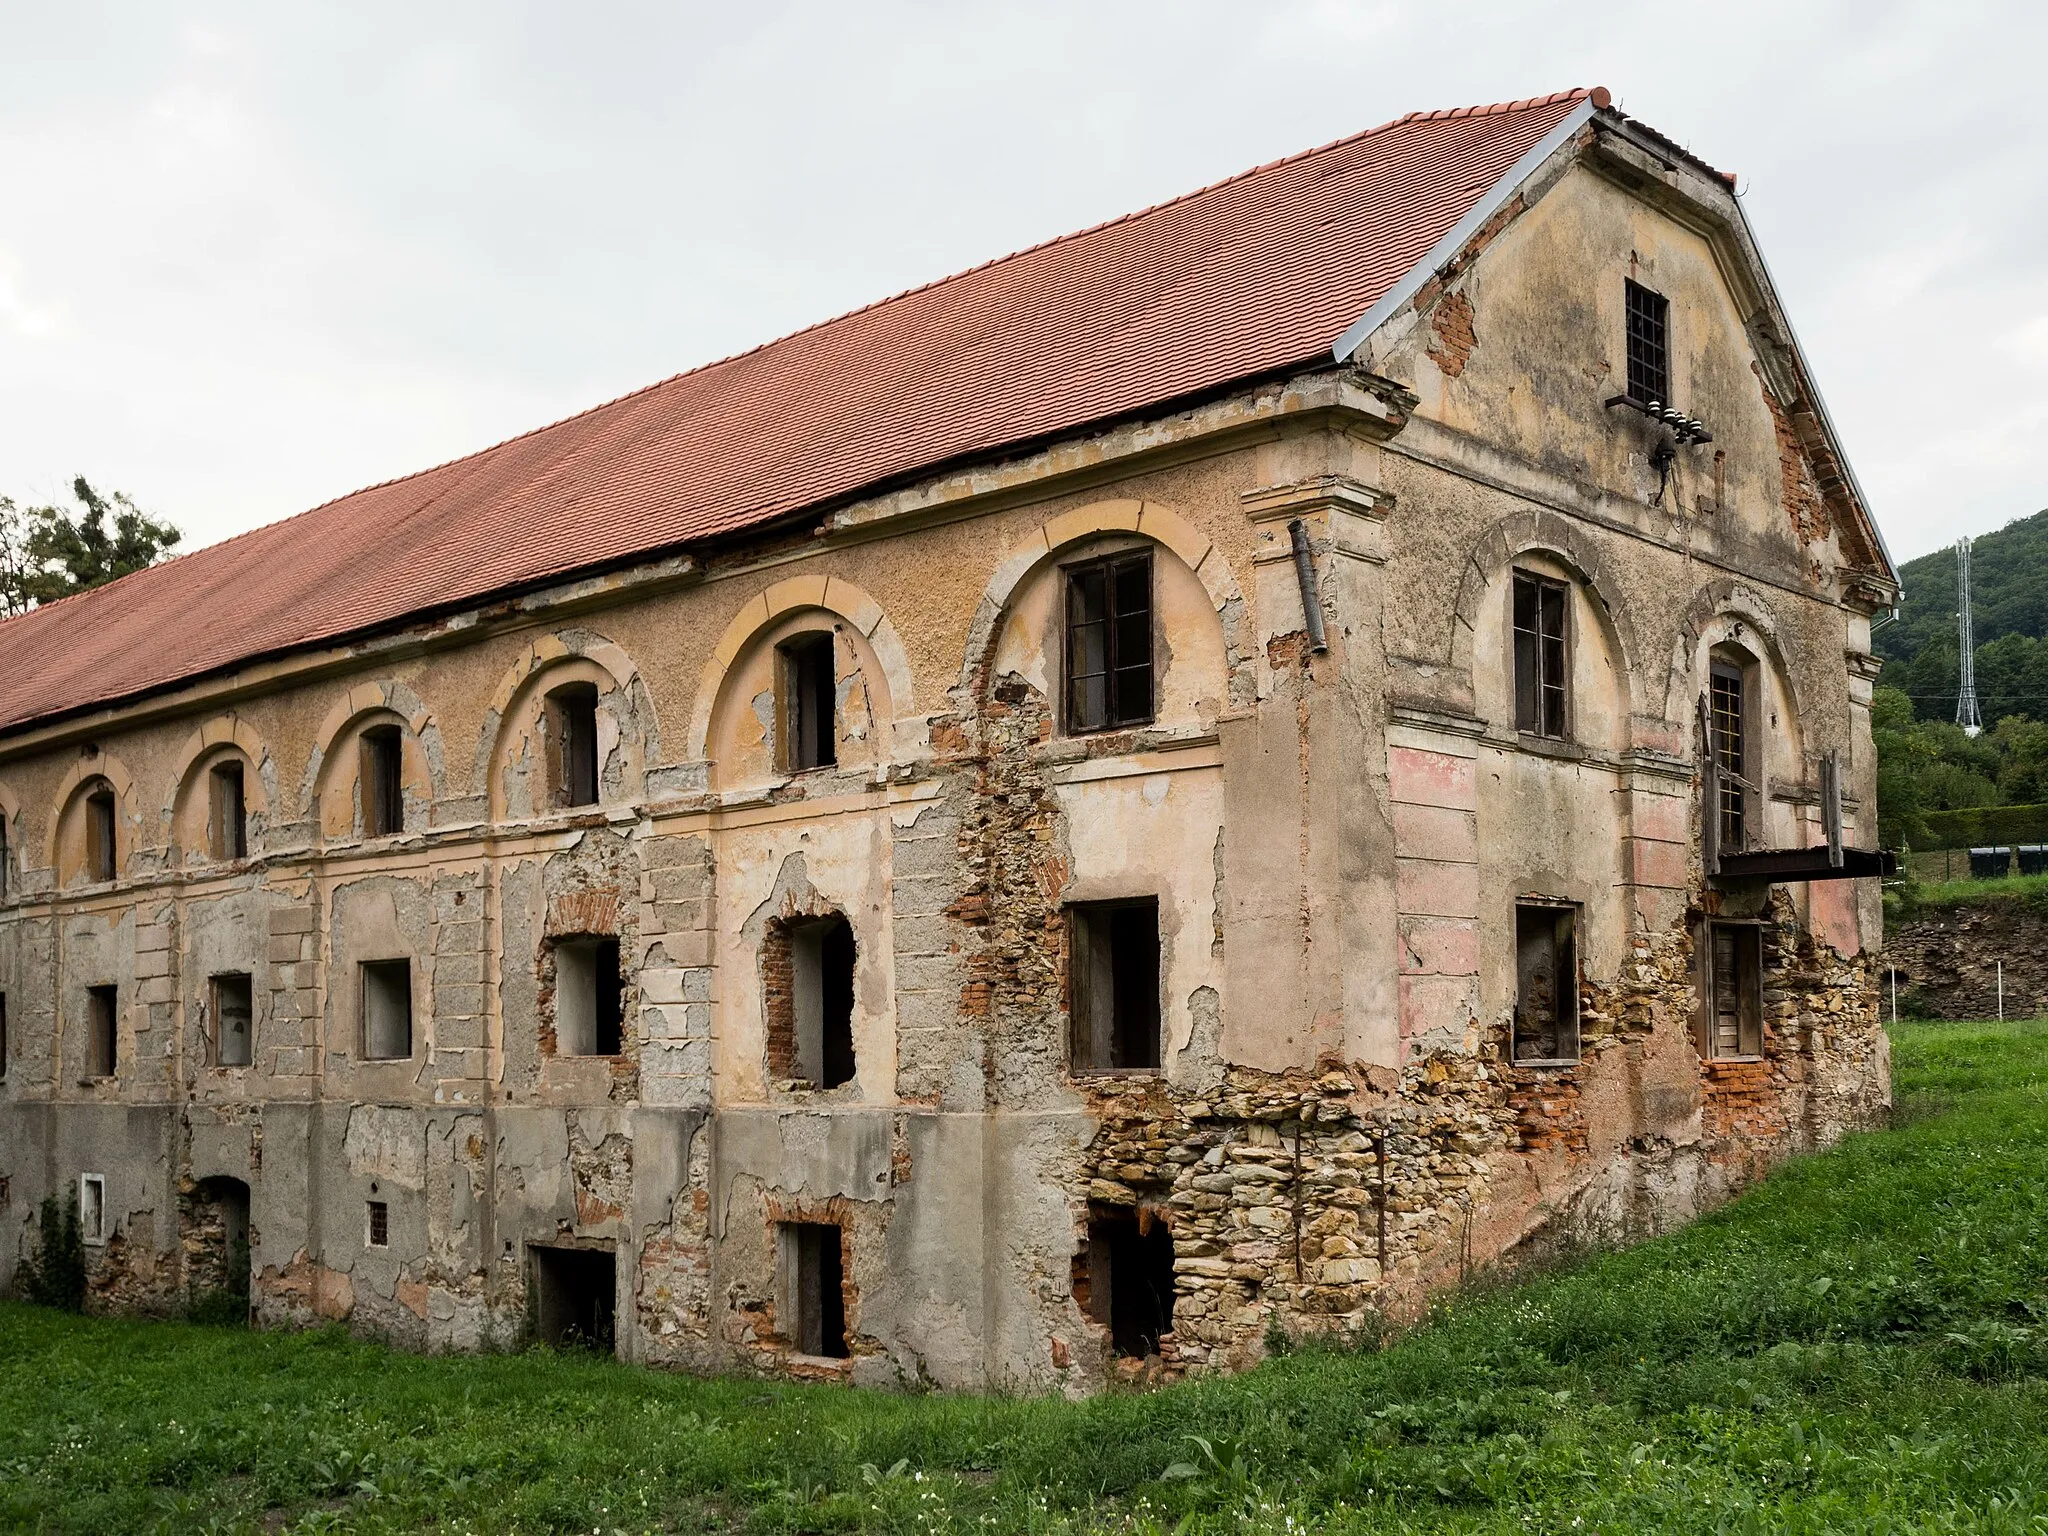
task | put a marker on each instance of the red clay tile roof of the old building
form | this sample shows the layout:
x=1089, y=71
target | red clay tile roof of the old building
x=1236, y=282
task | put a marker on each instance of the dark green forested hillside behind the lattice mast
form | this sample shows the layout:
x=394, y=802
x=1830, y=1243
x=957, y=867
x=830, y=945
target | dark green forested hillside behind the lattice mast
x=2010, y=589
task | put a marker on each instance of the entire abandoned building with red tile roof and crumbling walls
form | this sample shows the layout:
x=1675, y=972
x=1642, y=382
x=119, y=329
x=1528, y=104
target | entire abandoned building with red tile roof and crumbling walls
x=1199, y=779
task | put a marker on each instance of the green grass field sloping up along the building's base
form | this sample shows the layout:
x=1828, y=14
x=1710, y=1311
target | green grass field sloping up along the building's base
x=1857, y=1347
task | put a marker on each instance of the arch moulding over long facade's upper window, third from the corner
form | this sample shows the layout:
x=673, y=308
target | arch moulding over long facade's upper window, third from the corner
x=554, y=663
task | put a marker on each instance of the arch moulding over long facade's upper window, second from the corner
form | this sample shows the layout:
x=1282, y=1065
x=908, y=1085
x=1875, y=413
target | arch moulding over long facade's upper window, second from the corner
x=839, y=605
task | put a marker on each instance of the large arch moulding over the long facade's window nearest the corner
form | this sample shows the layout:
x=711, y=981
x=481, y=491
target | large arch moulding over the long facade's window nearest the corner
x=1101, y=521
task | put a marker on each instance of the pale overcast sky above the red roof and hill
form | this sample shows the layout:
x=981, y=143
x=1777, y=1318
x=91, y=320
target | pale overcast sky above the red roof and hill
x=259, y=255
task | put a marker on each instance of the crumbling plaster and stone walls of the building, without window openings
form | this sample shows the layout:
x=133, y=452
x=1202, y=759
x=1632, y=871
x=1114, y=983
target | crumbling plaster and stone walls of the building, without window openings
x=1336, y=841
